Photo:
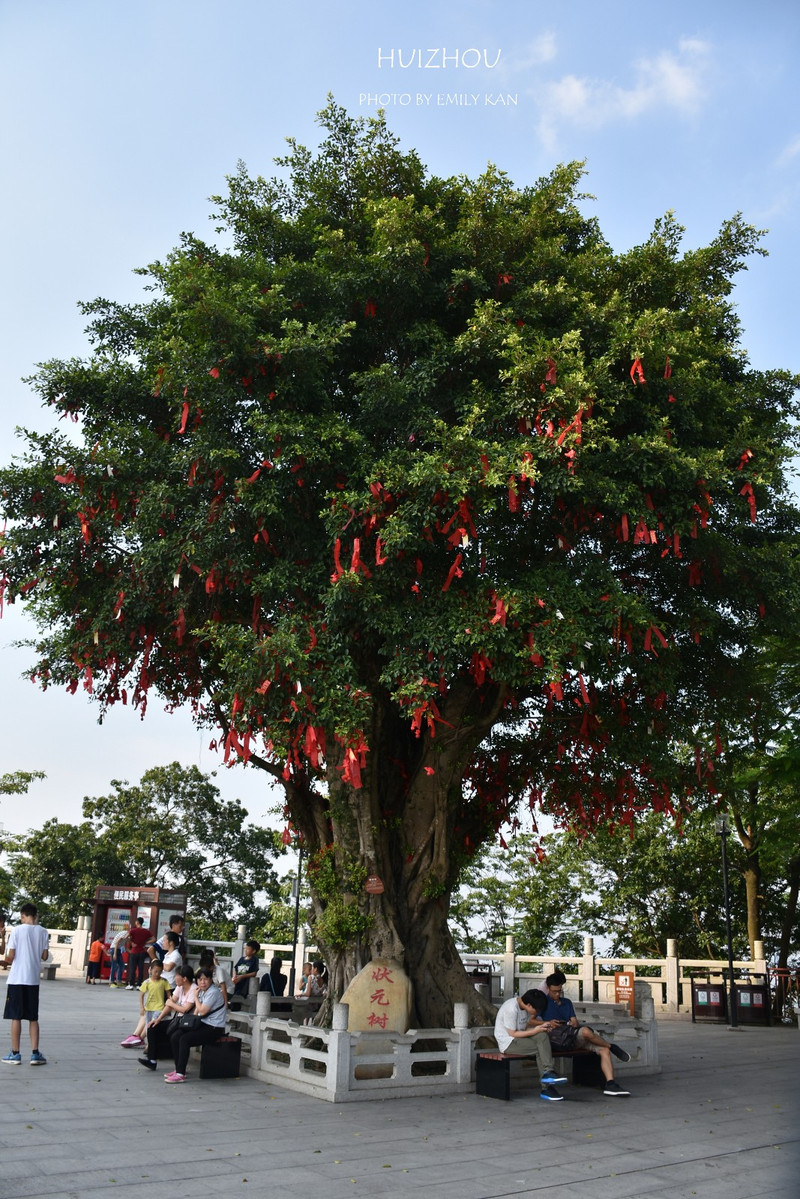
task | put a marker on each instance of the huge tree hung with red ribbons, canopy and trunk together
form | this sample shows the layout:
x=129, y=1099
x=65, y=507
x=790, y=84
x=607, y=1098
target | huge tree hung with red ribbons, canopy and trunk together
x=424, y=497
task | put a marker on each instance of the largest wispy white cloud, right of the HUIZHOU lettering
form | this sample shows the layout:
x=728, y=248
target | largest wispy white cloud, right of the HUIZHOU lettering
x=672, y=80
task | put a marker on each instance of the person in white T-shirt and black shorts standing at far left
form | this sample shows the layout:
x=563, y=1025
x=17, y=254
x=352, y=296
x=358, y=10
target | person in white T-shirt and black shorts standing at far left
x=28, y=947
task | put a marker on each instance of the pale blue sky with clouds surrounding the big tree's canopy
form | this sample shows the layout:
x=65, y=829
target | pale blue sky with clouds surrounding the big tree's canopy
x=121, y=120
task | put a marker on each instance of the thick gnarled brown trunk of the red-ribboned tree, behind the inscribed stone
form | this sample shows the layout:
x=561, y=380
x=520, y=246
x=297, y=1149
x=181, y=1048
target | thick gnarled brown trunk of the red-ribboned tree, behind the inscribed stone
x=407, y=827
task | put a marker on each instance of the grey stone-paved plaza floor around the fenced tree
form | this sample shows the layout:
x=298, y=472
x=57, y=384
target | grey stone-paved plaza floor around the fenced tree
x=721, y=1120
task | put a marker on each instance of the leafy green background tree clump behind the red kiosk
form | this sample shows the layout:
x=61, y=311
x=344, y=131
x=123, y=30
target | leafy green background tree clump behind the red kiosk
x=171, y=830
